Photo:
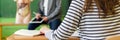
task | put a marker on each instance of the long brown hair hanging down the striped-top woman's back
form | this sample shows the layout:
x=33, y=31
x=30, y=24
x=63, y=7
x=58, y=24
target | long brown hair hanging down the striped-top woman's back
x=107, y=6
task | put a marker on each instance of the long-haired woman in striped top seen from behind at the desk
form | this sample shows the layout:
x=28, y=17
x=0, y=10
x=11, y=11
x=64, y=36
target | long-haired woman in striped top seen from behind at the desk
x=96, y=20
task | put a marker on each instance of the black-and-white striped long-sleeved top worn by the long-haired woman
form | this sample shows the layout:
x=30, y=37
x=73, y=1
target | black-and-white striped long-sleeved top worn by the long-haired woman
x=91, y=27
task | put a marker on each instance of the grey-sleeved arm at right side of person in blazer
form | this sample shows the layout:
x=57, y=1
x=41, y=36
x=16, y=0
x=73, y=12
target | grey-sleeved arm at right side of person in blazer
x=57, y=10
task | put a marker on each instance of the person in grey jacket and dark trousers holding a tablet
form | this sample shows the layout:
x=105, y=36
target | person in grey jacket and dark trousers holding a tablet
x=49, y=11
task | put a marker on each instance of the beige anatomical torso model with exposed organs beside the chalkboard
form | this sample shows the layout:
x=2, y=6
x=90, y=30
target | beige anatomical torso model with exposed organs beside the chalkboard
x=23, y=14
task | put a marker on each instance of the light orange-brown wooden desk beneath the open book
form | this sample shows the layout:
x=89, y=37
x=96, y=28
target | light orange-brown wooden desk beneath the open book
x=42, y=37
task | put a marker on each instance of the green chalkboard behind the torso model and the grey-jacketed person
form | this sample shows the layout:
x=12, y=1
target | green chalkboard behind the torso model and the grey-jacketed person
x=8, y=7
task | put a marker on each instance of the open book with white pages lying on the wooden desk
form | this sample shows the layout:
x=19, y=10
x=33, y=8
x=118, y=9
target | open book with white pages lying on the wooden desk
x=25, y=32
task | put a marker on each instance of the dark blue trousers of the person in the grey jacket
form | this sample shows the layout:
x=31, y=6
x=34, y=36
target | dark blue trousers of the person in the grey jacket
x=53, y=24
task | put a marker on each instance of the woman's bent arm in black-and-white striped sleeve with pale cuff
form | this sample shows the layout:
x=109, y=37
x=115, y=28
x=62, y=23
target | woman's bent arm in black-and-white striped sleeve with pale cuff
x=69, y=24
